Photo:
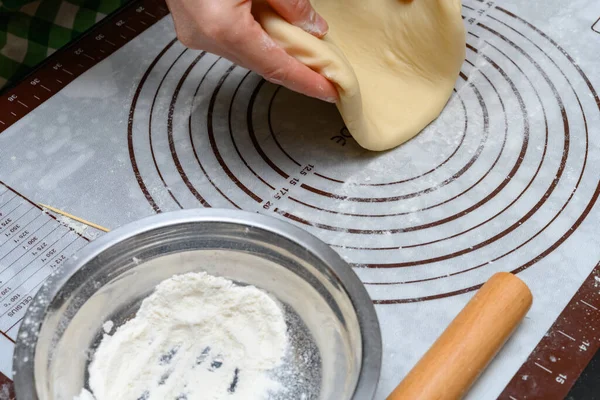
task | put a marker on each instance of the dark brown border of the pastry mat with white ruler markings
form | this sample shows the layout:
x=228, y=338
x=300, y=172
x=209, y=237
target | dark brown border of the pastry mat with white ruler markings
x=550, y=370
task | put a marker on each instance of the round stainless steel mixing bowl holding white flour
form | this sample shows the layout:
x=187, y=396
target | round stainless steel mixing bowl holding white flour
x=330, y=316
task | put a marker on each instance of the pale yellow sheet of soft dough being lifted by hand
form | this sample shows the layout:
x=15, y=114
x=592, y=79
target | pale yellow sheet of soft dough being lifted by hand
x=394, y=62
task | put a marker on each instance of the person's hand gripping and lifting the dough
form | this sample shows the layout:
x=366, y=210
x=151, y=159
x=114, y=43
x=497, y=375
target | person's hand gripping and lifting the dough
x=227, y=28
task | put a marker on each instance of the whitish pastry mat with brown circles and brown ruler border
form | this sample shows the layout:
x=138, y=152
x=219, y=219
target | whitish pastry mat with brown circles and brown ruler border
x=127, y=122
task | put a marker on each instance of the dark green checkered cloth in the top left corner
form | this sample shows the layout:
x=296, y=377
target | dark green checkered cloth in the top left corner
x=32, y=30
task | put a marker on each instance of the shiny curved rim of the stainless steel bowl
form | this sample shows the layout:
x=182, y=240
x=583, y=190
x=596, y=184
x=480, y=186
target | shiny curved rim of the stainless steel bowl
x=368, y=378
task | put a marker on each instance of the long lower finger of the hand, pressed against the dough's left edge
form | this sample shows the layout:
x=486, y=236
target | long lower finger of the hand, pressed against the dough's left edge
x=267, y=59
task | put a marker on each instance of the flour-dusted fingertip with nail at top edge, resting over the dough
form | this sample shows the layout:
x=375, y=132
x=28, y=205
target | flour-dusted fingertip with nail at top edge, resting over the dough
x=302, y=14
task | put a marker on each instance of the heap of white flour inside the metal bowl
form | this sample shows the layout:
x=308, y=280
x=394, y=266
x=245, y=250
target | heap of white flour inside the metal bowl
x=196, y=337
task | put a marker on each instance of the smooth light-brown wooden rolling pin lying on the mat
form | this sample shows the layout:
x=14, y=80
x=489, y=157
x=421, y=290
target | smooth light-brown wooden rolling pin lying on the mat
x=473, y=338
